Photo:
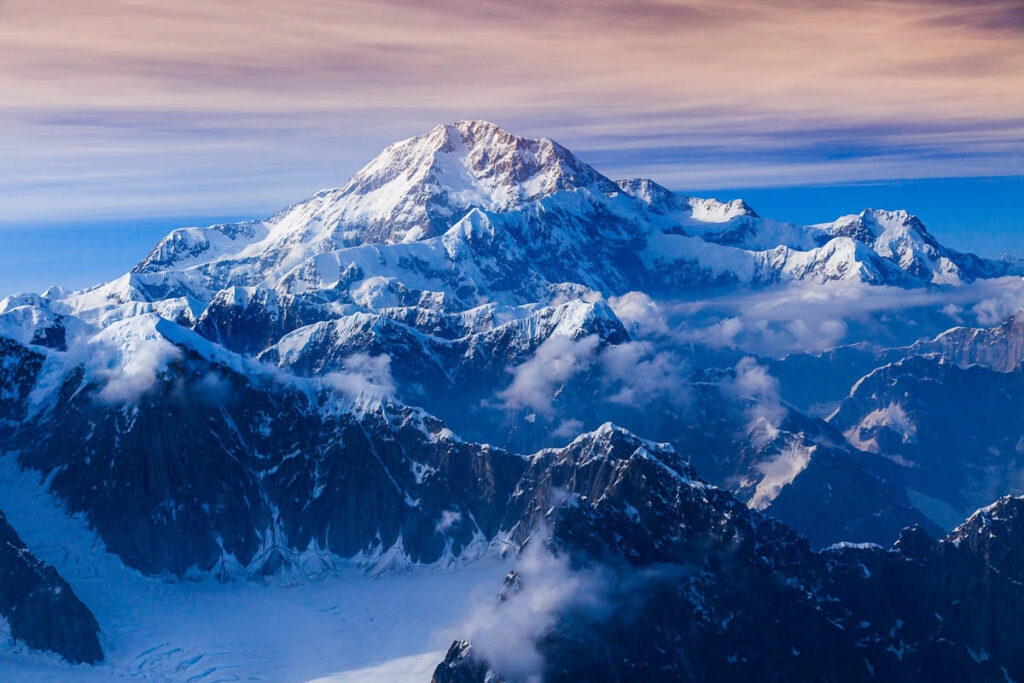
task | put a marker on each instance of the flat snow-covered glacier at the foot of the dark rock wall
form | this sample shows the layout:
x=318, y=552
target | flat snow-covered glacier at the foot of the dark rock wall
x=346, y=627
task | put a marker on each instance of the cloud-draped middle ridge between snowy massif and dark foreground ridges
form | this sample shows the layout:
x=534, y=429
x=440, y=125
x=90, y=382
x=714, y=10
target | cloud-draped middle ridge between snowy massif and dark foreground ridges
x=800, y=468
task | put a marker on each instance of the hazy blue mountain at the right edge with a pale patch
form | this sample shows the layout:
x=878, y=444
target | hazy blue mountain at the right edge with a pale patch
x=956, y=433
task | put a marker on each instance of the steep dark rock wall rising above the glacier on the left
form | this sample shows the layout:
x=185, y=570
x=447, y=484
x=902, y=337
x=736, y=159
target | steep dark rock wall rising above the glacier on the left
x=211, y=471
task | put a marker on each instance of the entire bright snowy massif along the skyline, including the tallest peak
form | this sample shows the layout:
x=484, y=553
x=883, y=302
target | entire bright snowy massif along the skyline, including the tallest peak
x=470, y=214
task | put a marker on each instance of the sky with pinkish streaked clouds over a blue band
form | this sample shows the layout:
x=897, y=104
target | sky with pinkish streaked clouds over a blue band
x=121, y=119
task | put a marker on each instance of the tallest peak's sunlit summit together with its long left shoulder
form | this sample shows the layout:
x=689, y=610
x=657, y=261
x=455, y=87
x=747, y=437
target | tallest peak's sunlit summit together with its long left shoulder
x=416, y=189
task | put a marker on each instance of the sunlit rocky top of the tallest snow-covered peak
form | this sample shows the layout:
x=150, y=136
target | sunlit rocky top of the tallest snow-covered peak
x=420, y=187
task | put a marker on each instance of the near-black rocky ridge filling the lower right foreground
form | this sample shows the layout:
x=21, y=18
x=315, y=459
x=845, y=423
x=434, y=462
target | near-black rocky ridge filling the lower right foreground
x=728, y=597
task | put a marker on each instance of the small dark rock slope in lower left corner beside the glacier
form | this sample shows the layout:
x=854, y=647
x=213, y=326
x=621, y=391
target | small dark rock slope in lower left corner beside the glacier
x=40, y=608
